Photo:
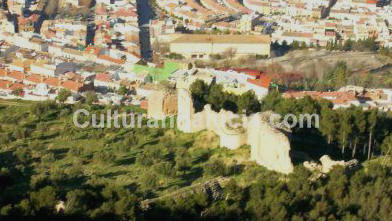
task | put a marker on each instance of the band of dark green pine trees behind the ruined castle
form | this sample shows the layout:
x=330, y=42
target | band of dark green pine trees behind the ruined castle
x=345, y=130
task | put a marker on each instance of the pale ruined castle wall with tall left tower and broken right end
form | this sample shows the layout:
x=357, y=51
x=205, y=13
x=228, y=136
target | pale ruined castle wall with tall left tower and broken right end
x=270, y=147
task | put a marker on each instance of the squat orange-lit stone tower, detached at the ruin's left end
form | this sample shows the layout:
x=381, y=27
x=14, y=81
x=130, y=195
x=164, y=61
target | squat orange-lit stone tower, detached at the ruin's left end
x=161, y=105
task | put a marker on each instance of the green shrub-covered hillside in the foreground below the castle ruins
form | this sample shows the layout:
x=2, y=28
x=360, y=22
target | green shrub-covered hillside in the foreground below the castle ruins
x=105, y=174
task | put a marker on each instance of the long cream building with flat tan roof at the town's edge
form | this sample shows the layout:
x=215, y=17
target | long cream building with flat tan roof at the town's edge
x=202, y=46
